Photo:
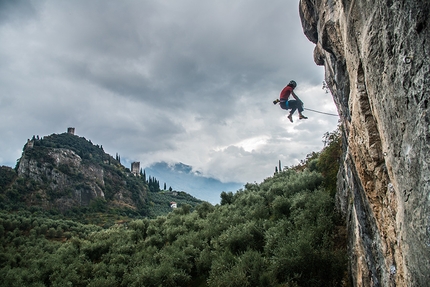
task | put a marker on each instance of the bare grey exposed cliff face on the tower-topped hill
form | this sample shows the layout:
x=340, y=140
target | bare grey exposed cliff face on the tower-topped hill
x=63, y=181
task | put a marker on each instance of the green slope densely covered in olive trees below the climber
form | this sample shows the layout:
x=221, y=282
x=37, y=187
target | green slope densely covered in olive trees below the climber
x=281, y=232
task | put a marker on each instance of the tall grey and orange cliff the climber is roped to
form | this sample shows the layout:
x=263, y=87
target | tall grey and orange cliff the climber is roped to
x=376, y=58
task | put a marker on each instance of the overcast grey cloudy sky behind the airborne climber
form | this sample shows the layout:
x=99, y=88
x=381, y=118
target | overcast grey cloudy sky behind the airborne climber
x=186, y=81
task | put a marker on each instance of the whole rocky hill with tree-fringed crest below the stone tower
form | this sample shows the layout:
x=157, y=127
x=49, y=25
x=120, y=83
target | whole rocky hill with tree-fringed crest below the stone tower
x=64, y=171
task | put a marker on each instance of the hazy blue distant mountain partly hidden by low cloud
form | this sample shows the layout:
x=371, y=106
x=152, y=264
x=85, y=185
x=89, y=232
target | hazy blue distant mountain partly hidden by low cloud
x=180, y=176
